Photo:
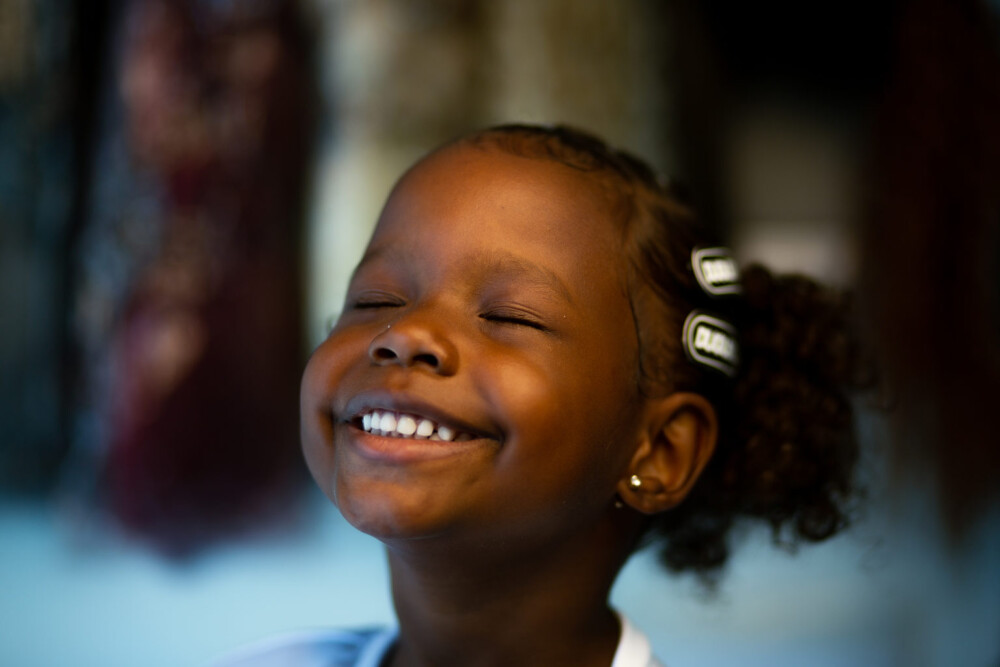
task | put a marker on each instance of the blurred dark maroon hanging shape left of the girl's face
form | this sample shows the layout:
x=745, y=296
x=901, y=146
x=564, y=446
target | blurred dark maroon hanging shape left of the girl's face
x=207, y=354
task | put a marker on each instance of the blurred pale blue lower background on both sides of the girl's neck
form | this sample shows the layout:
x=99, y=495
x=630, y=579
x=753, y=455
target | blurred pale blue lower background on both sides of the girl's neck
x=885, y=596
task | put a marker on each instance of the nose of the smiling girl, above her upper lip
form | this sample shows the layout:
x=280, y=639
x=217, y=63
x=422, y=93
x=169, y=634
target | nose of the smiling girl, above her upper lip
x=414, y=341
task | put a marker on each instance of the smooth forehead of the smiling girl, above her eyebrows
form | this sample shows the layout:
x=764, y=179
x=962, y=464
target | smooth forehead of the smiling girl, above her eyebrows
x=483, y=200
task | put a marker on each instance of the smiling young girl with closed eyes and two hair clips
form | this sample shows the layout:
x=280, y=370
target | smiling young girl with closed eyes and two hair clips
x=543, y=364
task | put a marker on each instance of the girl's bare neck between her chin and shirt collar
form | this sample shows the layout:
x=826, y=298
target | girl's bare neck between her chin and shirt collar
x=480, y=605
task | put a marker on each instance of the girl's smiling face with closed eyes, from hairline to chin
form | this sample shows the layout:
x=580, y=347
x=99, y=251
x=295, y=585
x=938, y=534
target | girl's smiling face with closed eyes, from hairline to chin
x=491, y=301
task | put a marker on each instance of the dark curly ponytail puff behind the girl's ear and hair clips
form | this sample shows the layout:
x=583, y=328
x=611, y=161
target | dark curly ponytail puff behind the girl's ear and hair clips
x=789, y=454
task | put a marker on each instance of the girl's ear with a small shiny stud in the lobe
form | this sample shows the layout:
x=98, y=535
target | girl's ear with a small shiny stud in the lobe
x=678, y=438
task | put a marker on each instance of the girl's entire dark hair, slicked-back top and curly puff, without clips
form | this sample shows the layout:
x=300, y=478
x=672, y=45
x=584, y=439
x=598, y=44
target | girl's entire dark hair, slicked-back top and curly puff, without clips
x=787, y=452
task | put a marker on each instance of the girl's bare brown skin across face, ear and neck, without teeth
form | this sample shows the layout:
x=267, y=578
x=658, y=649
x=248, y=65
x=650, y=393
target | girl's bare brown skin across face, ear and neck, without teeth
x=492, y=298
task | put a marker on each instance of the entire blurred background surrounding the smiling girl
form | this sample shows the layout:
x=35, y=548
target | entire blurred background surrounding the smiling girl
x=185, y=186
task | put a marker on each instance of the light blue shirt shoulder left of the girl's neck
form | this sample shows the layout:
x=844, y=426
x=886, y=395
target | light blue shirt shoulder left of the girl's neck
x=330, y=648
